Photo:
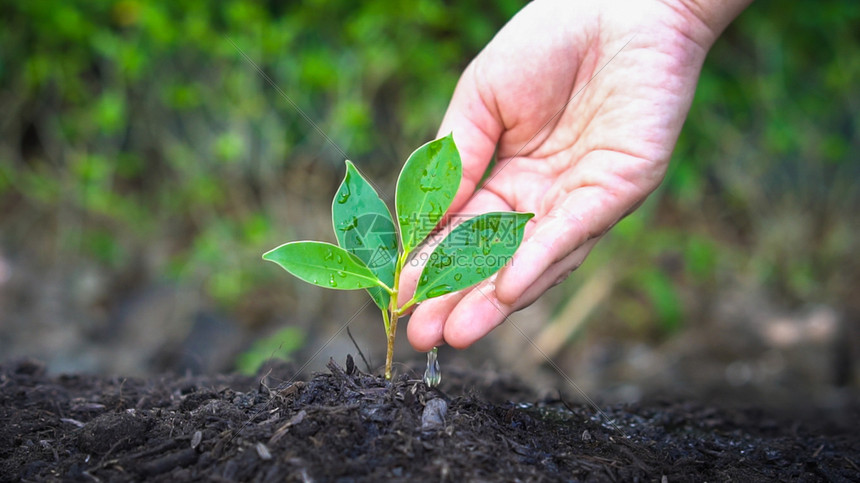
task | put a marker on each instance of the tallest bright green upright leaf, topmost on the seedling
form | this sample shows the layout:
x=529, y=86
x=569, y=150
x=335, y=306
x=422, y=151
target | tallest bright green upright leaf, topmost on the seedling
x=425, y=189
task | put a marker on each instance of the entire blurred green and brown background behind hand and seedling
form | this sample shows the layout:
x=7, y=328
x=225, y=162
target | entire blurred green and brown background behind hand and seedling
x=145, y=165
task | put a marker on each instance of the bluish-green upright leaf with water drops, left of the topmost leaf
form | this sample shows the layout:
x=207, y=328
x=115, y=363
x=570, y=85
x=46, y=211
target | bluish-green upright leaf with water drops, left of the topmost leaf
x=364, y=227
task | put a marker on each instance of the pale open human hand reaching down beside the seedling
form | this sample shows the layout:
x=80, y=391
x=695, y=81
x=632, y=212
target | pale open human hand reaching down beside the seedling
x=582, y=102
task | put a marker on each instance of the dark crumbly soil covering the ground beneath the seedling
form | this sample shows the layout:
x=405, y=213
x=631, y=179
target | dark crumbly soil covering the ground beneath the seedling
x=349, y=426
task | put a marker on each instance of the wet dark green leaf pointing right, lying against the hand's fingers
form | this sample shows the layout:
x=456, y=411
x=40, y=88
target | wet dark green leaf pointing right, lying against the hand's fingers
x=473, y=251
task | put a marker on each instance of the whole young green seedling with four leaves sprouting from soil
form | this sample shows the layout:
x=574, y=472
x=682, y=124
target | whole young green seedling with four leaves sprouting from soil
x=372, y=251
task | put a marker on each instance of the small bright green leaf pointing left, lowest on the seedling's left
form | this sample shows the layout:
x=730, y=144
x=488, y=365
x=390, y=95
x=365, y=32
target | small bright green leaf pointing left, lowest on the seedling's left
x=323, y=264
